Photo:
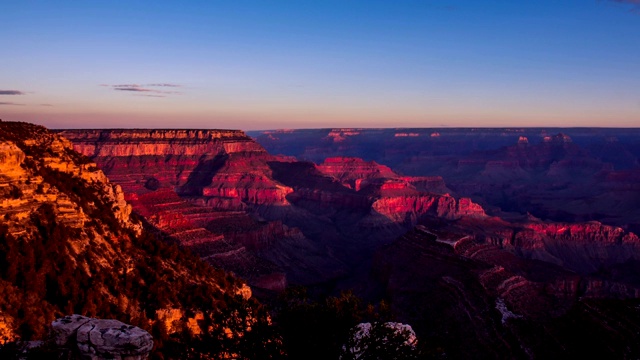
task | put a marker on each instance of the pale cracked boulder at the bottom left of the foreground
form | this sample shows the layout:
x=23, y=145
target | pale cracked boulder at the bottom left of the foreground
x=101, y=339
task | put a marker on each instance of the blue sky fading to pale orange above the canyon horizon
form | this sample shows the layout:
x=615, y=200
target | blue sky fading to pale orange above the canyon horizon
x=268, y=64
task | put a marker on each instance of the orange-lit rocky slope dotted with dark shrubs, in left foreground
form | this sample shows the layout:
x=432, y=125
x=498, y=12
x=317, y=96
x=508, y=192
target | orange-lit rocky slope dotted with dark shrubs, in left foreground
x=68, y=244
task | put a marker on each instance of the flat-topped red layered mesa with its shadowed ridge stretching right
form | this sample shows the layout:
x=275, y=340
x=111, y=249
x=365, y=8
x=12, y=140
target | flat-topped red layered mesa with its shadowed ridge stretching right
x=270, y=219
